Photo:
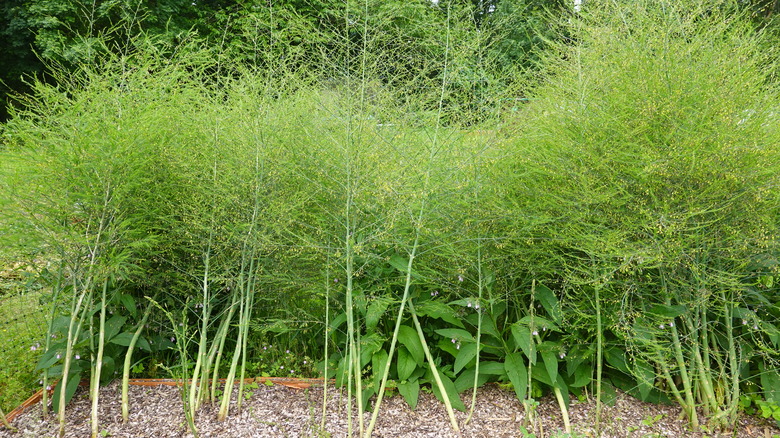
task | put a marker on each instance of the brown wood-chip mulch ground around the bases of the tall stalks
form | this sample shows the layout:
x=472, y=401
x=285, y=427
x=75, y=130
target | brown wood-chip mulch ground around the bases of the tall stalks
x=279, y=411
